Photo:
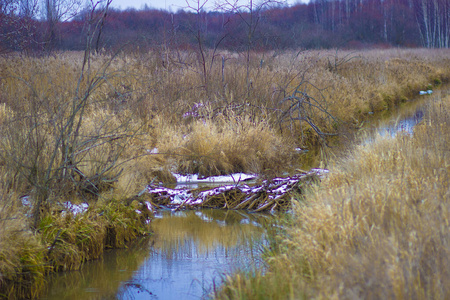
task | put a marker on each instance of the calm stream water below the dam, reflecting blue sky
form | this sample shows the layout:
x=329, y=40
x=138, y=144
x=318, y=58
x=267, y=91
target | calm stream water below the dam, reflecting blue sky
x=188, y=254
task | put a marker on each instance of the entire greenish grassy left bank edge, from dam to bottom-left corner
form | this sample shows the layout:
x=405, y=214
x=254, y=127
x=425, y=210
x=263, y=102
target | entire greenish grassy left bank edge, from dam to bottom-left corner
x=63, y=242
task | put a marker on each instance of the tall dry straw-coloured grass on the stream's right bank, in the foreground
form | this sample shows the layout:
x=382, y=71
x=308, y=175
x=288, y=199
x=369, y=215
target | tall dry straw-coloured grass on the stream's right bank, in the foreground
x=375, y=228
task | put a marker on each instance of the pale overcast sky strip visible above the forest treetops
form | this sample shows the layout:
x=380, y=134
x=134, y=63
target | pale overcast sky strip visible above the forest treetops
x=170, y=5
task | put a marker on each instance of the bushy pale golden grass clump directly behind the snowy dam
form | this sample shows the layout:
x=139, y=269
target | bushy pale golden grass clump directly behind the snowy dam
x=226, y=144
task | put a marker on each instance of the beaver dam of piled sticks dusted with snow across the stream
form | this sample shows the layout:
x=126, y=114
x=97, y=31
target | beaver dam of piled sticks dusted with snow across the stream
x=271, y=195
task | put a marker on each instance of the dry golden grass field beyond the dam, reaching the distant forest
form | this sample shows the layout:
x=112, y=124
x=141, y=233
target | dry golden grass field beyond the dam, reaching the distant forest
x=238, y=127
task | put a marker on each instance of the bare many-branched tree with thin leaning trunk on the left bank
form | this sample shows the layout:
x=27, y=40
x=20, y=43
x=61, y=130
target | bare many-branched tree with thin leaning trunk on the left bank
x=47, y=145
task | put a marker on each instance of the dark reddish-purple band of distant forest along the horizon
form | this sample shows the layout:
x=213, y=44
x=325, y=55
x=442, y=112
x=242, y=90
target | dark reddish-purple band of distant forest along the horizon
x=270, y=26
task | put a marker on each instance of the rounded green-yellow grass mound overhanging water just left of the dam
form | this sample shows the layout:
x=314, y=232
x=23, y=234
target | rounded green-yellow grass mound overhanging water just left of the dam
x=73, y=240
